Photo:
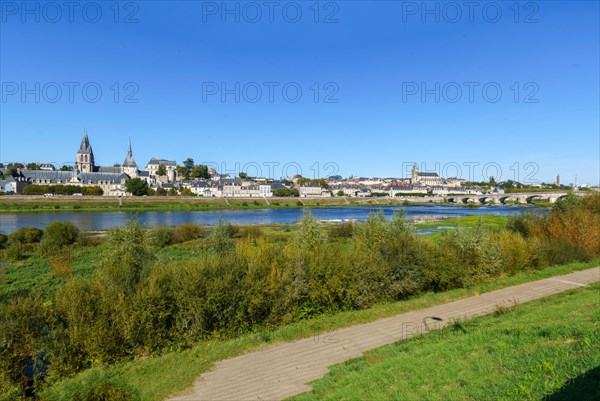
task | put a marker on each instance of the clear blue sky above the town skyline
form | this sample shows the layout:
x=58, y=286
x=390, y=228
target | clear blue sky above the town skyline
x=369, y=60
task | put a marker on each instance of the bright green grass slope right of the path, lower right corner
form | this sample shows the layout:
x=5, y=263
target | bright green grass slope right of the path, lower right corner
x=543, y=350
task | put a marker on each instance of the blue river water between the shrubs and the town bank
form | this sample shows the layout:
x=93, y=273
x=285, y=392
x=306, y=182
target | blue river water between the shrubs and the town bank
x=94, y=221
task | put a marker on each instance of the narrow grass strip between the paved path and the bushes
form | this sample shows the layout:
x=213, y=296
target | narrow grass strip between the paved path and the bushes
x=156, y=378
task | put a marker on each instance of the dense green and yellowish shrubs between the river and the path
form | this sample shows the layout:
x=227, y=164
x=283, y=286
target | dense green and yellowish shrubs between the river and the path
x=149, y=292
